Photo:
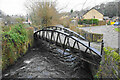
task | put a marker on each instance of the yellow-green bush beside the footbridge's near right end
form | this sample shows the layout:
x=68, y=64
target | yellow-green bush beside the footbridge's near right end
x=110, y=65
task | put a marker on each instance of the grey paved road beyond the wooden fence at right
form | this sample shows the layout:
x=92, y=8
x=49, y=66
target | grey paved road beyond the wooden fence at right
x=110, y=36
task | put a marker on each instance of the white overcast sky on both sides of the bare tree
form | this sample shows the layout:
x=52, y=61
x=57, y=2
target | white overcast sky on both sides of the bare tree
x=17, y=7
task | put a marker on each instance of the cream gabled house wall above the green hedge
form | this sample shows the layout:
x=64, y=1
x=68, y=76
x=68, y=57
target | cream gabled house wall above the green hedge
x=93, y=14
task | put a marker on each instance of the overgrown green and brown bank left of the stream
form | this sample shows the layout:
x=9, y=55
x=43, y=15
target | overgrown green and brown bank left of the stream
x=15, y=42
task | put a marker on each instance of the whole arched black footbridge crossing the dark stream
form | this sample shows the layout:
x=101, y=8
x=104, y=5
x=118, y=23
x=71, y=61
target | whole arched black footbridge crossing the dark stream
x=70, y=41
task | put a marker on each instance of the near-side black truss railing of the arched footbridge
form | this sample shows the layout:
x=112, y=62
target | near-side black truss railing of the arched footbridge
x=53, y=35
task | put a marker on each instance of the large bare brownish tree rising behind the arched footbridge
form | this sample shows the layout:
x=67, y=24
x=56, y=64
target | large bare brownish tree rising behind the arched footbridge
x=43, y=12
